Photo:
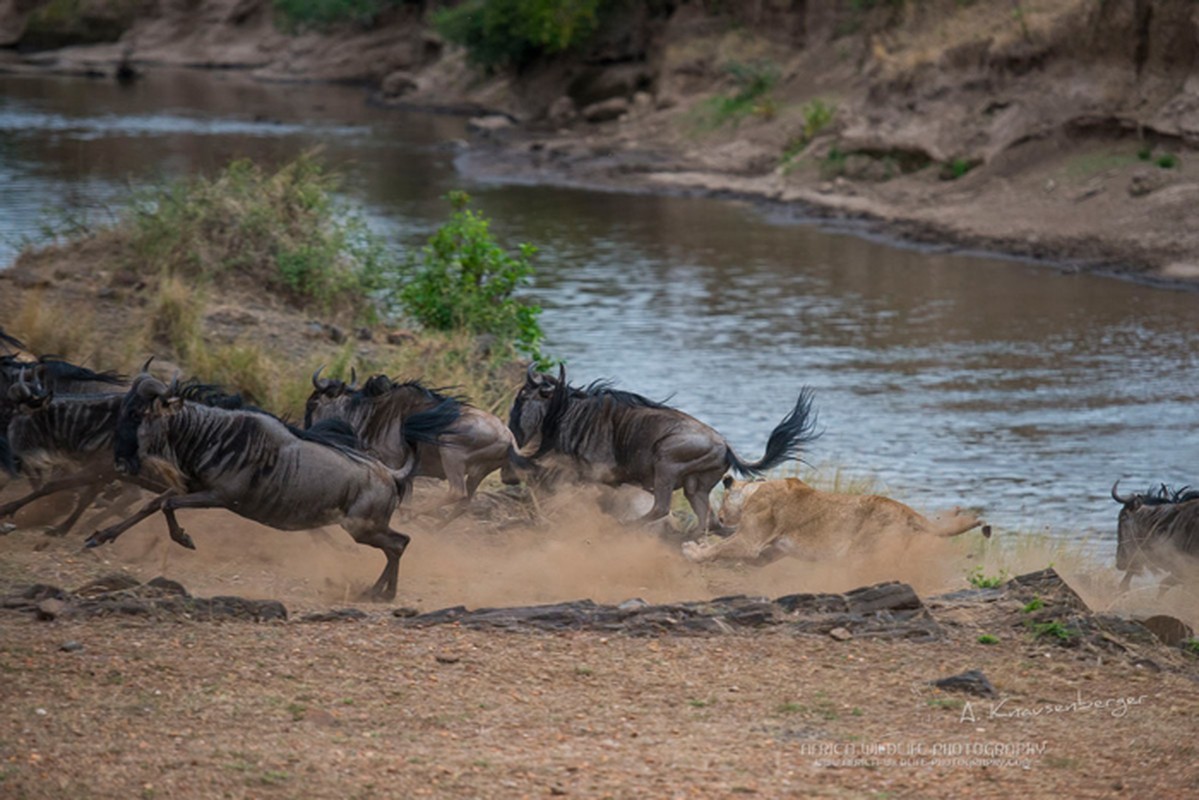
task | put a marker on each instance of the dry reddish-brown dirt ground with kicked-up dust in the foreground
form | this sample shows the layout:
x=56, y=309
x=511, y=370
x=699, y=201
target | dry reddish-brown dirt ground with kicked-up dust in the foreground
x=120, y=707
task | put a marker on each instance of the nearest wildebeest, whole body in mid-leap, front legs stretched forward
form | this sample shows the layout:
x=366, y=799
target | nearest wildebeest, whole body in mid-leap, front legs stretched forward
x=261, y=468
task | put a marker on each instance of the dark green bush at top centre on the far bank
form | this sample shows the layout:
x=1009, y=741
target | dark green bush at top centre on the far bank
x=515, y=33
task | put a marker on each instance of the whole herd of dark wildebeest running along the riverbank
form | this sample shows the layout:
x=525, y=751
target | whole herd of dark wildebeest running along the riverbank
x=65, y=428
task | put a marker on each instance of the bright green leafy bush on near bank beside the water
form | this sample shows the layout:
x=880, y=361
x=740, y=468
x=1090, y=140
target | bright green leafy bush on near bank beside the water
x=465, y=280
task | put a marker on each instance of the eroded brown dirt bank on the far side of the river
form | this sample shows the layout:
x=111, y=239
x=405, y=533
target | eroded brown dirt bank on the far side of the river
x=1029, y=130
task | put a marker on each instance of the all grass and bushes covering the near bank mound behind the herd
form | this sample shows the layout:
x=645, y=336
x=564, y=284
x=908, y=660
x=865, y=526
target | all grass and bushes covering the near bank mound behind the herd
x=258, y=238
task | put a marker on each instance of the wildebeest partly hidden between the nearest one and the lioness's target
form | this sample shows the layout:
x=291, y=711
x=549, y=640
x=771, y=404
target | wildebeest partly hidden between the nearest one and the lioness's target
x=473, y=448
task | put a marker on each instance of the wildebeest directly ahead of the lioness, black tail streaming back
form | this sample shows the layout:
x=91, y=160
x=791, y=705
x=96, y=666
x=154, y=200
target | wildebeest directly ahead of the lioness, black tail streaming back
x=614, y=437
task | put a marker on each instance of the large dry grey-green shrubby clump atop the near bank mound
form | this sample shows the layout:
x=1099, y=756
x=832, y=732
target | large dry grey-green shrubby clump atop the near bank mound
x=282, y=231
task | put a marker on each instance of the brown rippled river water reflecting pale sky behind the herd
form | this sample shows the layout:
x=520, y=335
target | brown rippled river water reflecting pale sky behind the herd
x=949, y=378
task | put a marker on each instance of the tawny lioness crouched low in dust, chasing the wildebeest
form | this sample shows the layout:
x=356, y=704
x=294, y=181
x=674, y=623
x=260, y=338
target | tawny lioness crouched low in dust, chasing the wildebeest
x=788, y=518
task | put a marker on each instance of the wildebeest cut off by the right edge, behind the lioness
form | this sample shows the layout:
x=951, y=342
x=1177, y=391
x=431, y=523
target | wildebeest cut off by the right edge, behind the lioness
x=1158, y=530
